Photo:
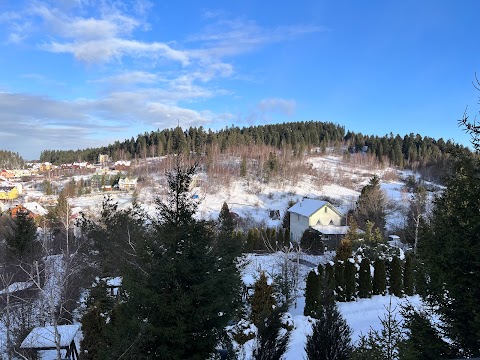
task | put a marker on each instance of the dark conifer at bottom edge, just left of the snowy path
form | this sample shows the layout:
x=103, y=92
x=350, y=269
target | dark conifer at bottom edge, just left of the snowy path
x=272, y=339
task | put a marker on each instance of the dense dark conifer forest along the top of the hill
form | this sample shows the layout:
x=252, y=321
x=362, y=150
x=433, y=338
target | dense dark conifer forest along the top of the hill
x=407, y=151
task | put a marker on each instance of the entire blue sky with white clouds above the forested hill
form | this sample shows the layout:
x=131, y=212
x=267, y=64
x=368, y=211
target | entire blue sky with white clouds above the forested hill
x=84, y=73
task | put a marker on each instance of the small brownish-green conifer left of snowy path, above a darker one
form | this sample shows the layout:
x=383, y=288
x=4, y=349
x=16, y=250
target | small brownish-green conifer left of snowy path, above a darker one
x=263, y=301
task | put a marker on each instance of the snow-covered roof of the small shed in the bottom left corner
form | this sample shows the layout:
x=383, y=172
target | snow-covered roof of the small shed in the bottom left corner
x=43, y=337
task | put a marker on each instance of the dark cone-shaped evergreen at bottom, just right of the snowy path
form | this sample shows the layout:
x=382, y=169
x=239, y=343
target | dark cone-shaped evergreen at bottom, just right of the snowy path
x=331, y=336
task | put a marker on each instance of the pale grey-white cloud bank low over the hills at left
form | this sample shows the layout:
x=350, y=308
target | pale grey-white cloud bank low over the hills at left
x=31, y=122
